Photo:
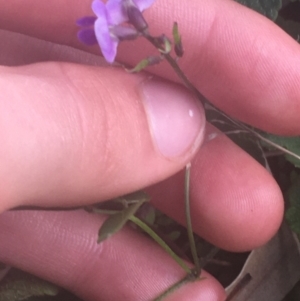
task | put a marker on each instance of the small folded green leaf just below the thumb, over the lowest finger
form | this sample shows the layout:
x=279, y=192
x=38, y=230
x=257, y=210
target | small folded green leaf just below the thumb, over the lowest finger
x=115, y=222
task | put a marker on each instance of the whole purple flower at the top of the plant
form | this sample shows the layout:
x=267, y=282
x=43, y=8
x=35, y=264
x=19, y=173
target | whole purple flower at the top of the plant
x=105, y=28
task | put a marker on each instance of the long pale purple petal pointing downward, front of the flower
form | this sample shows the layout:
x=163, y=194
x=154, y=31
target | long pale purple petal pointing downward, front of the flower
x=107, y=43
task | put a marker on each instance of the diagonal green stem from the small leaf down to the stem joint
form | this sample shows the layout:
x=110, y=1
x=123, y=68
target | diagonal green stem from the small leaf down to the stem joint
x=161, y=242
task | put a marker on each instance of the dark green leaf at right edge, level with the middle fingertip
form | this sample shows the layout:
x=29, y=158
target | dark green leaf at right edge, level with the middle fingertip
x=293, y=213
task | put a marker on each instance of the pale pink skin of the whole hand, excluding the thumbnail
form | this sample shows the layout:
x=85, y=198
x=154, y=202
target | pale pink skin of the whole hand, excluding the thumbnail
x=54, y=117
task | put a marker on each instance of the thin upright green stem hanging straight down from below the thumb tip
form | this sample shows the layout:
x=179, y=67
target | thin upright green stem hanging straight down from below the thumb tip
x=189, y=220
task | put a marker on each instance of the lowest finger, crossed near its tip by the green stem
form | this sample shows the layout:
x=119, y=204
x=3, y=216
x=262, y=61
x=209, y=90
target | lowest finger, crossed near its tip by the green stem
x=61, y=247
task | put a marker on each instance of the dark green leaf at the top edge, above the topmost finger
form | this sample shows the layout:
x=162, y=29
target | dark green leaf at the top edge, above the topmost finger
x=268, y=8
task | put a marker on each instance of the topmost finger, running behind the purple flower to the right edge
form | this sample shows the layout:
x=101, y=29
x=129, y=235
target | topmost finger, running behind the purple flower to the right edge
x=238, y=59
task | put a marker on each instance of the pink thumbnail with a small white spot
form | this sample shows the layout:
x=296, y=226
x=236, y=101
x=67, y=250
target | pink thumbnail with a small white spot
x=176, y=118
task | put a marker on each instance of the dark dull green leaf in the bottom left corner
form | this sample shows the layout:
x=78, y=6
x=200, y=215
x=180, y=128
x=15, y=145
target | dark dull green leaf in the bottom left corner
x=18, y=286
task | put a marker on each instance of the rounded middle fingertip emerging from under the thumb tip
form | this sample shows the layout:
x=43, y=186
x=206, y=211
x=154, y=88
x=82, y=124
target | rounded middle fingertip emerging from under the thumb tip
x=235, y=203
